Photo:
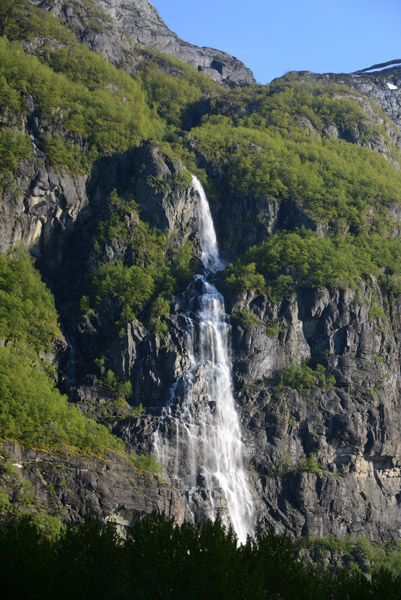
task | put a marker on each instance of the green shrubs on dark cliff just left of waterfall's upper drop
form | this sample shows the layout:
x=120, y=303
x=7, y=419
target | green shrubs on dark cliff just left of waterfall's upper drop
x=148, y=265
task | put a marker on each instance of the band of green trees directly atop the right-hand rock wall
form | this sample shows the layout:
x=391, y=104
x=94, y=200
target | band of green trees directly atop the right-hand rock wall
x=290, y=261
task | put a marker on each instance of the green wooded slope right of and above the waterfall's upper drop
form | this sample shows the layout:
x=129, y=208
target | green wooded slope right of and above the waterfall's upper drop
x=301, y=144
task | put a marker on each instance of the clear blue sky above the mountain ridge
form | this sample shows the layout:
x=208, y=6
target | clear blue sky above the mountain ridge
x=275, y=36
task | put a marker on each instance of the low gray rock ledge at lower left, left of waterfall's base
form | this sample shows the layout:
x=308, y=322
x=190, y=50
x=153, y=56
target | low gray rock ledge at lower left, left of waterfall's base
x=71, y=487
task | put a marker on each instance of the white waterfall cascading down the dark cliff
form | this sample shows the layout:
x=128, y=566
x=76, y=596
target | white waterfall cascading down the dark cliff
x=198, y=441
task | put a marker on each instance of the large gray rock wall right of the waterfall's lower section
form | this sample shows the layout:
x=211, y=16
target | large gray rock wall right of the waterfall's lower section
x=328, y=459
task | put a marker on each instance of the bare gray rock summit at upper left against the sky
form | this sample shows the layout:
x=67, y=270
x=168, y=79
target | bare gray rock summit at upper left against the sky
x=120, y=25
